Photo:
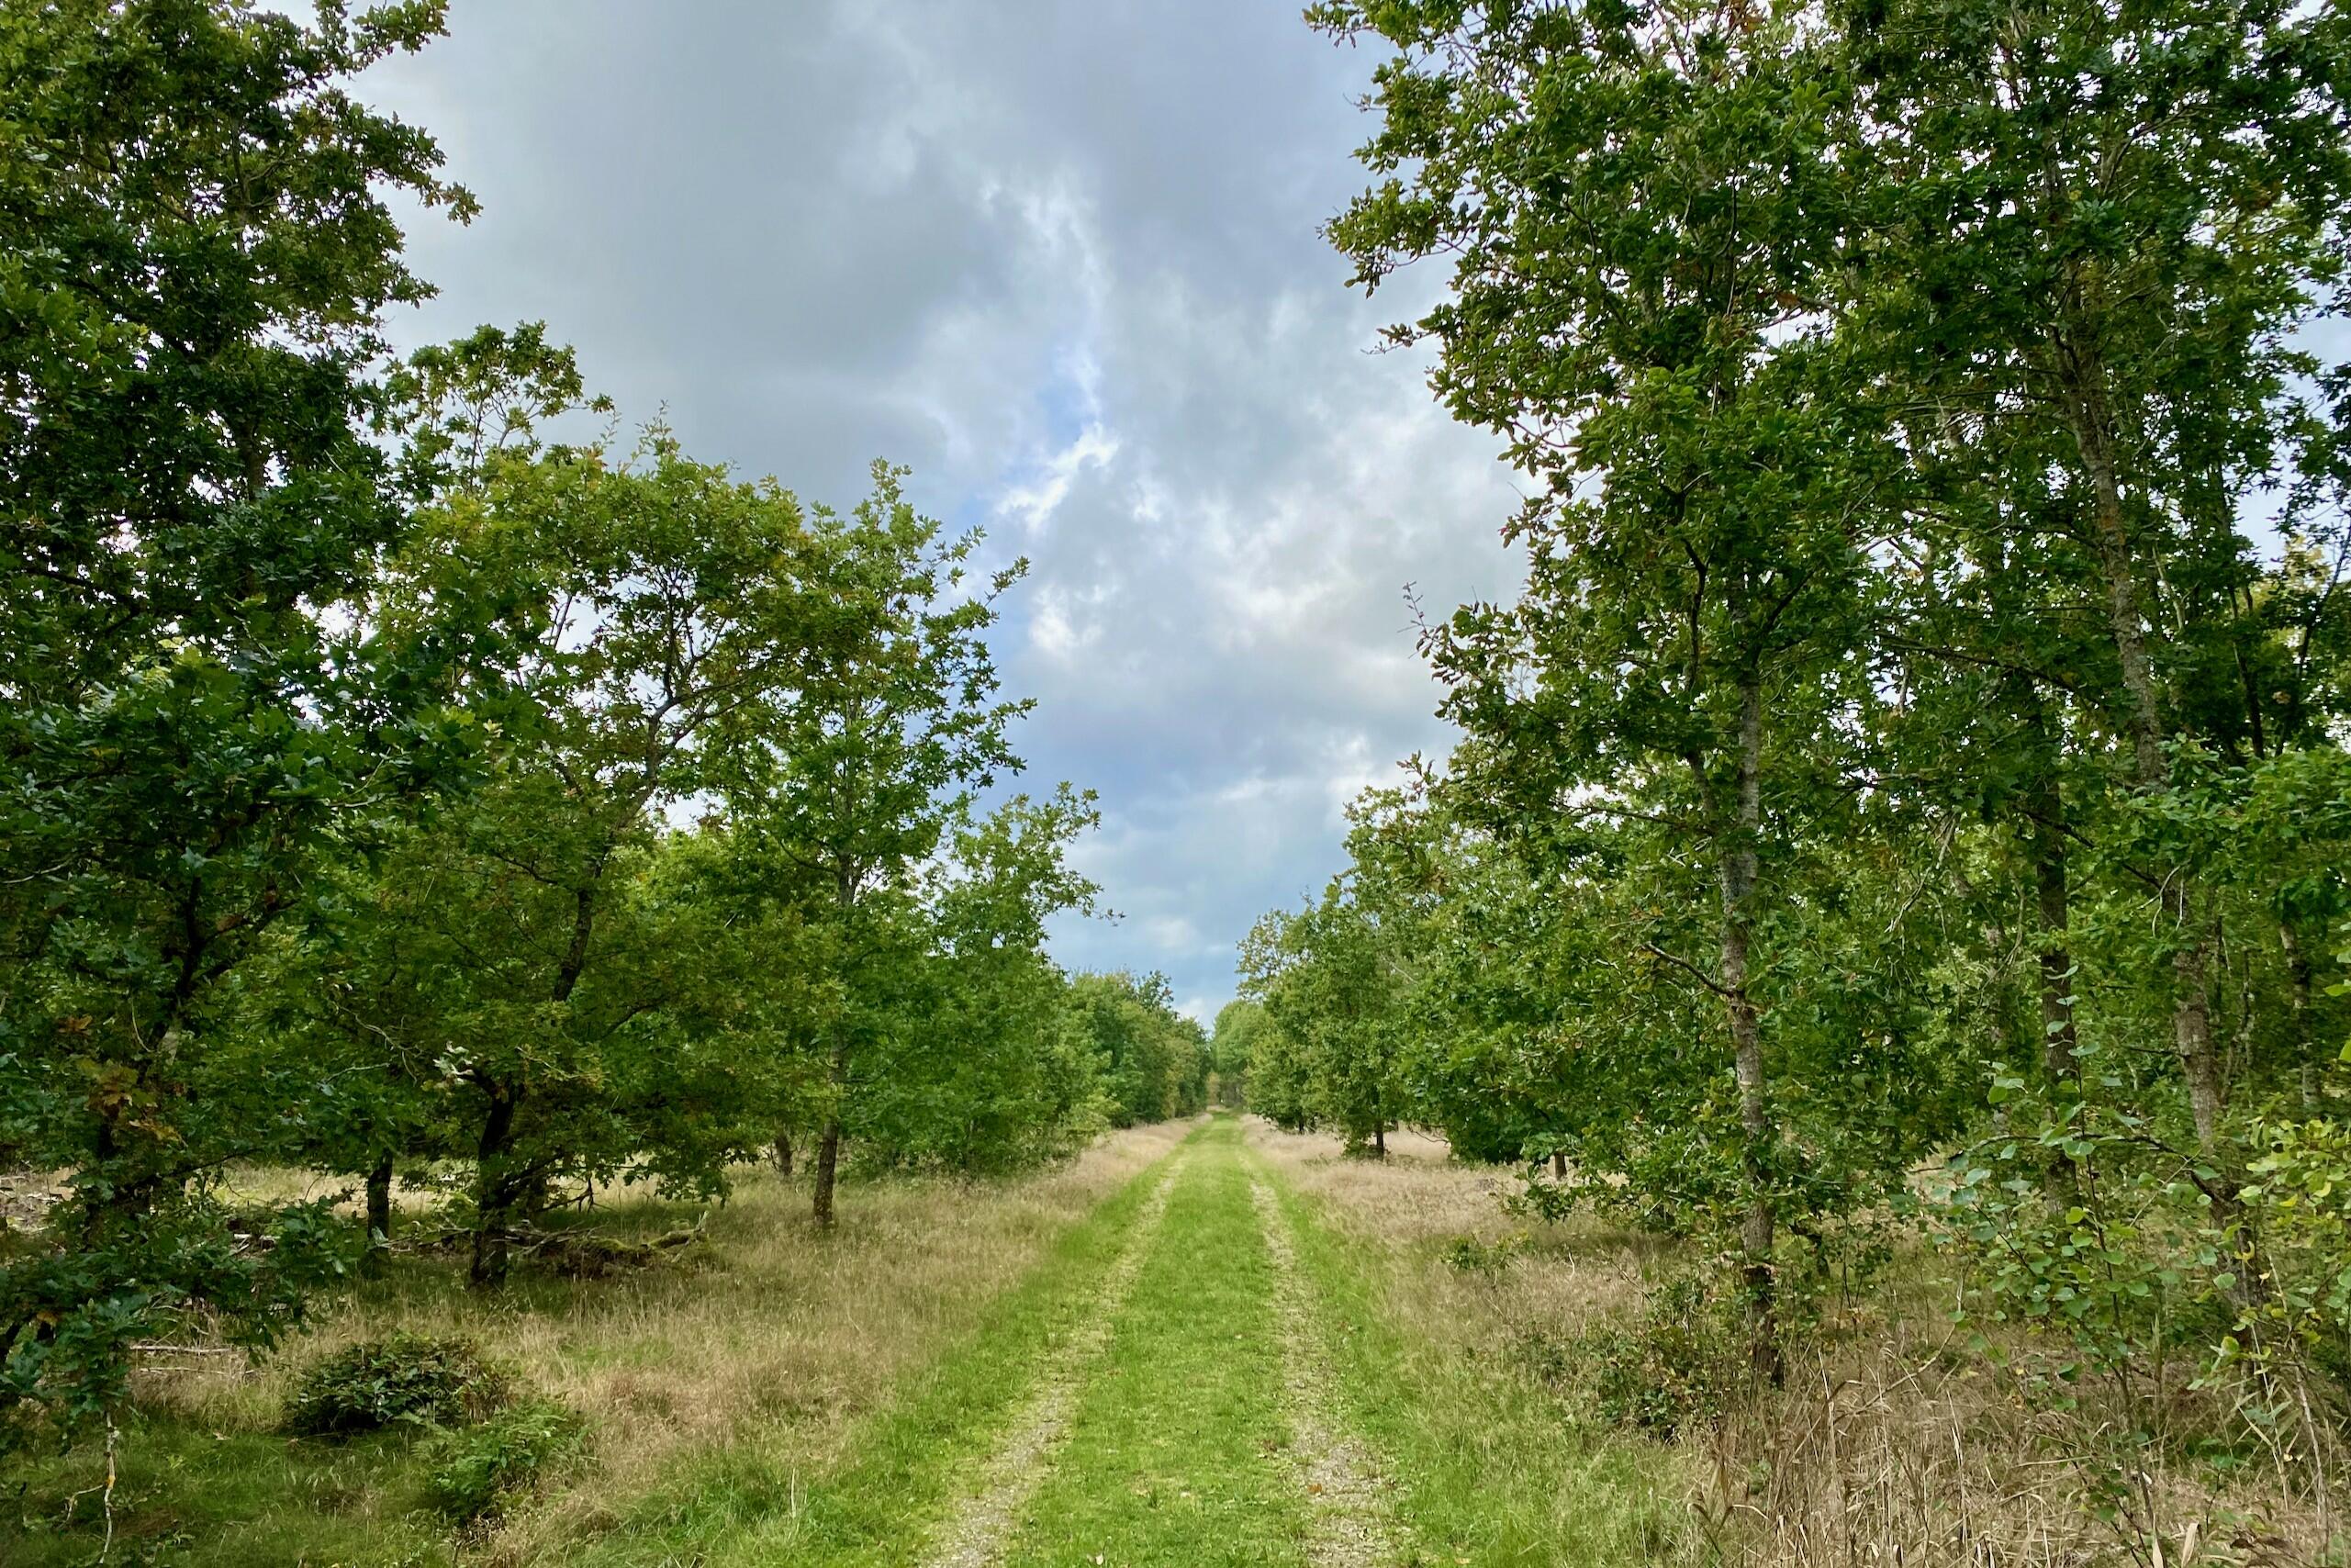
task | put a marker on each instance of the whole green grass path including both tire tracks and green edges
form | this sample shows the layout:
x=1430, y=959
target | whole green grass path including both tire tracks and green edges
x=1203, y=1376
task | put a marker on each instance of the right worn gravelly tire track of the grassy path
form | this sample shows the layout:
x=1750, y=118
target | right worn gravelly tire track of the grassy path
x=1348, y=1517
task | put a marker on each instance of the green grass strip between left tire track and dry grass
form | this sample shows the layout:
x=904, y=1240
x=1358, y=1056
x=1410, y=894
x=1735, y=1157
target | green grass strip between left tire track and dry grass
x=742, y=1508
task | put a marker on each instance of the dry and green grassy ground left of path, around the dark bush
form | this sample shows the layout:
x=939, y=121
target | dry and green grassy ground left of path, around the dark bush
x=718, y=1381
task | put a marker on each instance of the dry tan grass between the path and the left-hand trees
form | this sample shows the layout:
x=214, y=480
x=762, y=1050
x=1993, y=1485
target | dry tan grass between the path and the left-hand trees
x=768, y=1336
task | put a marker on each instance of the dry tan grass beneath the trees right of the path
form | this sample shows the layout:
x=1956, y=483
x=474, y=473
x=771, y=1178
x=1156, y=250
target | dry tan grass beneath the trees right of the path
x=1894, y=1442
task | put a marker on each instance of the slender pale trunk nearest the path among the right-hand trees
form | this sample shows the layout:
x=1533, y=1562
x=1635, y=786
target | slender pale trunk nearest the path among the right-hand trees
x=1739, y=880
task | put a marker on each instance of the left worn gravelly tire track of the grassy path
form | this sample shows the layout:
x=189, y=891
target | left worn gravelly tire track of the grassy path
x=974, y=1536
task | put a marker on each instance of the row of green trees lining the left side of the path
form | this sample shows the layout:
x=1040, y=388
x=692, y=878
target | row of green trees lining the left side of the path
x=384, y=779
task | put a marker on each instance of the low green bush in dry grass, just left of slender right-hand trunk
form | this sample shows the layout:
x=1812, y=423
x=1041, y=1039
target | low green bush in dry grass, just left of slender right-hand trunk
x=1675, y=1369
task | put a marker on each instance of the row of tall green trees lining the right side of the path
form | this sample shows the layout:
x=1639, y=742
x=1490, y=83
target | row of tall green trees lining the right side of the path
x=1922, y=732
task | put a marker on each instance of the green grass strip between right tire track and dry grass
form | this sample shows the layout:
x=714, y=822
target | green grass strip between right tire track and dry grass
x=1489, y=1468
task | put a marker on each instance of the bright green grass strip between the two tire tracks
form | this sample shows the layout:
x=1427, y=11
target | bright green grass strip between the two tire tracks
x=1172, y=1449
